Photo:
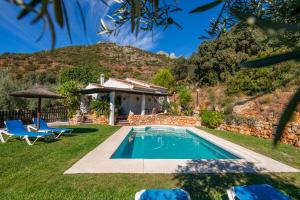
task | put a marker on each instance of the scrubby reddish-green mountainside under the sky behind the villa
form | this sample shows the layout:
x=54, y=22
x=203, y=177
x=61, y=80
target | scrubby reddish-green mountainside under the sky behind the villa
x=120, y=61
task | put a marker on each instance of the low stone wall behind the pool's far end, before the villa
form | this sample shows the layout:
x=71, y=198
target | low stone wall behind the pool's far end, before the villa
x=136, y=120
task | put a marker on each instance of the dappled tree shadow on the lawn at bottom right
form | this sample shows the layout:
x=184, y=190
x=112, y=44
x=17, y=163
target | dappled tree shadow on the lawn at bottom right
x=213, y=186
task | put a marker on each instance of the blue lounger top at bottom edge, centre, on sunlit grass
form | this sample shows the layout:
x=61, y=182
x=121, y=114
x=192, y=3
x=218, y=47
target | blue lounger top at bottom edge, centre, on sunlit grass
x=162, y=194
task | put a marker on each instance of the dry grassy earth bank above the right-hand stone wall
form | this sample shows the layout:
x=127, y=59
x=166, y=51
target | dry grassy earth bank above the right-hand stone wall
x=266, y=107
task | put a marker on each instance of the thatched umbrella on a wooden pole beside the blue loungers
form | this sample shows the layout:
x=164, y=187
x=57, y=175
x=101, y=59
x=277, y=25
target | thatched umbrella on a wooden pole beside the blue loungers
x=38, y=92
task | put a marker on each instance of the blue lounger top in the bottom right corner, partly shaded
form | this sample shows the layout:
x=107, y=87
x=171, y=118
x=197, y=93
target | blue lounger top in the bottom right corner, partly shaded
x=255, y=192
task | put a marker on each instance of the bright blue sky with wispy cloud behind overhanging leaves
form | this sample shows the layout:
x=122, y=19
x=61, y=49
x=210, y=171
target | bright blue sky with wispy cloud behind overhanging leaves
x=20, y=36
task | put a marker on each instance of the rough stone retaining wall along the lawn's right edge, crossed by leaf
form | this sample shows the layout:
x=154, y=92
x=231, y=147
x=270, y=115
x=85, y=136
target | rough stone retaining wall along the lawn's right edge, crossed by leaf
x=266, y=130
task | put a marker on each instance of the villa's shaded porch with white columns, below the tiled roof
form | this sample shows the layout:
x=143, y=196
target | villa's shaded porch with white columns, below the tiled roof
x=123, y=103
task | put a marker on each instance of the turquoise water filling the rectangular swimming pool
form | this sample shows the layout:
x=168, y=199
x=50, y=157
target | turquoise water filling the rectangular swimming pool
x=168, y=143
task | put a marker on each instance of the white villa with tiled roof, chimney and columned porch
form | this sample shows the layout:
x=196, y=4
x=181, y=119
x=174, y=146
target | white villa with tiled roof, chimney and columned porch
x=126, y=96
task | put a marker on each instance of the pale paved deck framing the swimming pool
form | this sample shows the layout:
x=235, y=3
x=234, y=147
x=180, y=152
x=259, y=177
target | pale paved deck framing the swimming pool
x=98, y=160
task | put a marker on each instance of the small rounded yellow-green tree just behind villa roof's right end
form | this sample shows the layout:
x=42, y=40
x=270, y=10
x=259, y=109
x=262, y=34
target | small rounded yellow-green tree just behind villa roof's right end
x=164, y=78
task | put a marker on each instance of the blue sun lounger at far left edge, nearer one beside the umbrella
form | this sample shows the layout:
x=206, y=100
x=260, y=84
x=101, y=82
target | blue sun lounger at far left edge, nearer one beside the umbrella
x=15, y=128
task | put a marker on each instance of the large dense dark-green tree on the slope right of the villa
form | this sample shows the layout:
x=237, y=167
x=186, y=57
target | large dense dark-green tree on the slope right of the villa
x=219, y=59
